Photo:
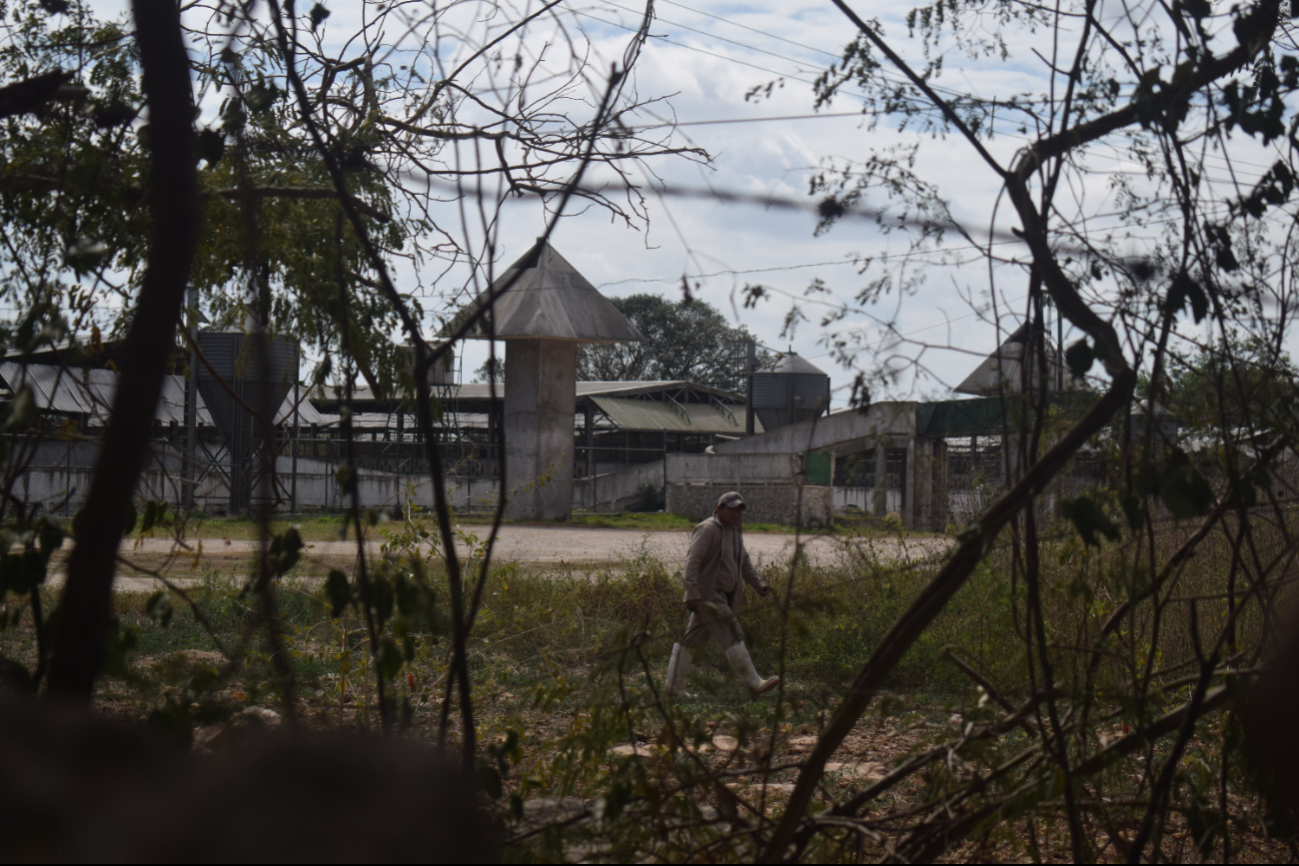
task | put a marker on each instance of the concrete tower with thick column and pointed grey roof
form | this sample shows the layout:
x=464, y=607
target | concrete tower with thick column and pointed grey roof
x=545, y=315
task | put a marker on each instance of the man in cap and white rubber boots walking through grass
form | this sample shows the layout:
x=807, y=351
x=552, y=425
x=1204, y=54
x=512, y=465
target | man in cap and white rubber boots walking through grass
x=716, y=571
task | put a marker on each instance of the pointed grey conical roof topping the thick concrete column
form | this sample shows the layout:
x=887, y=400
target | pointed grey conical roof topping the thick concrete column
x=551, y=301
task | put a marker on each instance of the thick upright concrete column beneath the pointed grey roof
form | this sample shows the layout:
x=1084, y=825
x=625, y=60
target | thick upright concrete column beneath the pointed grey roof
x=541, y=401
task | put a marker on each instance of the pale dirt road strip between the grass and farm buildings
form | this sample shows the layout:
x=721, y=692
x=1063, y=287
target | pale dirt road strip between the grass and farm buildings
x=559, y=547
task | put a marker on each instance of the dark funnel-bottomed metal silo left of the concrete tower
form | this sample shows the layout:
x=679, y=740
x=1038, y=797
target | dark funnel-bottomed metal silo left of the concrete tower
x=236, y=380
